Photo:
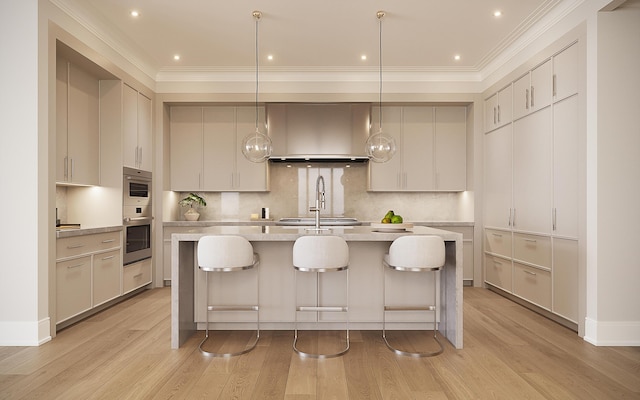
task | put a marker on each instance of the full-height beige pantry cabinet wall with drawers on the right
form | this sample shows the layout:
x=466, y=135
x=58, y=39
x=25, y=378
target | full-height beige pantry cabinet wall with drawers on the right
x=531, y=175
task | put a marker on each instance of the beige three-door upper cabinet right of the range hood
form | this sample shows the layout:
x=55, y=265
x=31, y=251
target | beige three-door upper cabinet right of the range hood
x=431, y=149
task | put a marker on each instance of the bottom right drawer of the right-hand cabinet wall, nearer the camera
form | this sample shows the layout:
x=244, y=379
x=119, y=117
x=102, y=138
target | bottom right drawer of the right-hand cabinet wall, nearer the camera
x=532, y=284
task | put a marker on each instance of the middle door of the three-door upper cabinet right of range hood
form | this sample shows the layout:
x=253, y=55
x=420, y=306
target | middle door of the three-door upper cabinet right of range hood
x=418, y=164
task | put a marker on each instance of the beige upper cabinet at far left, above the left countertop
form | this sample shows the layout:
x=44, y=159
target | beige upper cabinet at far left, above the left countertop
x=77, y=125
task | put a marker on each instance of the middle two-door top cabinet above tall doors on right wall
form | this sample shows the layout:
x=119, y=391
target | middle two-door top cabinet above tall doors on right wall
x=533, y=91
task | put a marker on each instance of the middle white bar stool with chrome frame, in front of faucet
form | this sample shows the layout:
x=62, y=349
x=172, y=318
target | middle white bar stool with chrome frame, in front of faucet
x=320, y=254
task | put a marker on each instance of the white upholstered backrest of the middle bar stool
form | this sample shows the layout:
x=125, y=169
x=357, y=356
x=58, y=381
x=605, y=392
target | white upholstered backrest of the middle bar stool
x=318, y=252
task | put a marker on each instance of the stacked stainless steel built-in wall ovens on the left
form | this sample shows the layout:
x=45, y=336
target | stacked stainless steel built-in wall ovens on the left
x=136, y=215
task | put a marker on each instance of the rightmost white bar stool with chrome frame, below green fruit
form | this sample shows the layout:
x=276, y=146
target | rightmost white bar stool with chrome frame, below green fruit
x=418, y=253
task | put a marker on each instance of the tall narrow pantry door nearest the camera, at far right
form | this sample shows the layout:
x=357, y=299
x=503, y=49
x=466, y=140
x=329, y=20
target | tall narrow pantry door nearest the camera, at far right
x=565, y=167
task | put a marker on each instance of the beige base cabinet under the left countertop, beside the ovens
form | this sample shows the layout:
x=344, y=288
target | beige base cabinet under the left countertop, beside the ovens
x=87, y=272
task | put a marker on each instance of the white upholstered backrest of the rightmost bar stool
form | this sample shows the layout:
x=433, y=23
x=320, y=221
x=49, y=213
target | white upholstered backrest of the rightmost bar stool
x=417, y=251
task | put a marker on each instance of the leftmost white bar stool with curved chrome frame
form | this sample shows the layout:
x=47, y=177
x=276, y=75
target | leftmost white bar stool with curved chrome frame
x=227, y=254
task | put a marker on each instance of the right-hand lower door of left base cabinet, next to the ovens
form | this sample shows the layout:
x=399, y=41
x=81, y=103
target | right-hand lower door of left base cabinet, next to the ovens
x=106, y=276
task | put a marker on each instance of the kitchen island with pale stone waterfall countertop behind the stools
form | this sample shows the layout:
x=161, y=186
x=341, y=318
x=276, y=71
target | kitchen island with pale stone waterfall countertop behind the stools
x=274, y=244
